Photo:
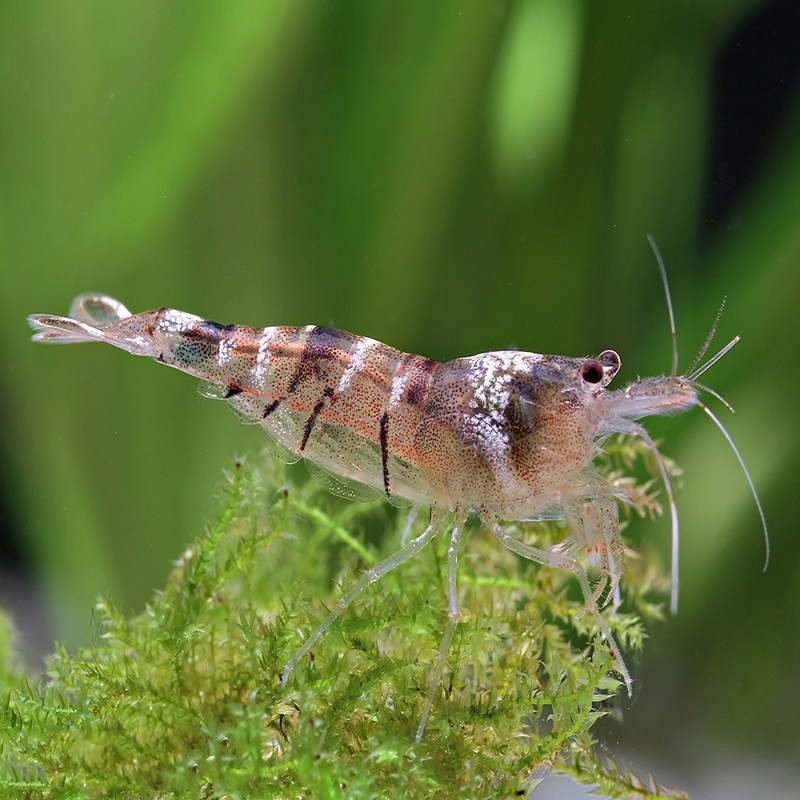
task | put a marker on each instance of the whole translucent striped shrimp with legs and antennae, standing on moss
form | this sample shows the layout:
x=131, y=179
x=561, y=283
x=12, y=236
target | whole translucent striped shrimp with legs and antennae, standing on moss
x=506, y=435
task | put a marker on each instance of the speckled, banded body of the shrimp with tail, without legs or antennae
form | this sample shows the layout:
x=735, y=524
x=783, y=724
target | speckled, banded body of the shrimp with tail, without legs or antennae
x=503, y=434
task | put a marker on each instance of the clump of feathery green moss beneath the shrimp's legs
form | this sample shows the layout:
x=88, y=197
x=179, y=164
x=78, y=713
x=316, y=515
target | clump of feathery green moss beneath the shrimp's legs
x=185, y=699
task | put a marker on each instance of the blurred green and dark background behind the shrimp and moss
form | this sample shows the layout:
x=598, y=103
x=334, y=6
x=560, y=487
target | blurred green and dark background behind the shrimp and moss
x=448, y=177
